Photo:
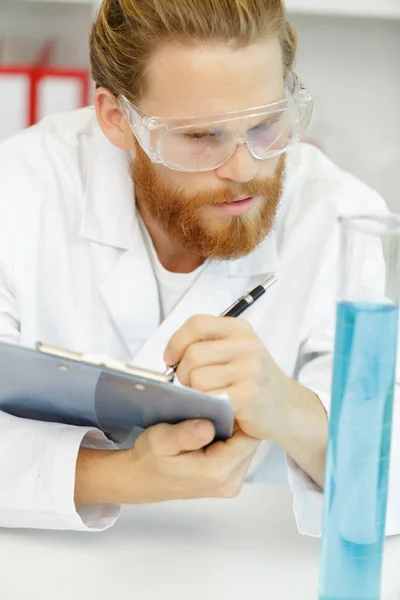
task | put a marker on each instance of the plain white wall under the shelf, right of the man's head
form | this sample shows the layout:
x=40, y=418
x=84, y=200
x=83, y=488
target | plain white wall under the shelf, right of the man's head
x=352, y=68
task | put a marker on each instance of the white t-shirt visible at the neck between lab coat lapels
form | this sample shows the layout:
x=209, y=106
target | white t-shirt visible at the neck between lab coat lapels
x=171, y=286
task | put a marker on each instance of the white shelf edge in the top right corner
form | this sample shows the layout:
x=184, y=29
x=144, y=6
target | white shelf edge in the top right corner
x=387, y=9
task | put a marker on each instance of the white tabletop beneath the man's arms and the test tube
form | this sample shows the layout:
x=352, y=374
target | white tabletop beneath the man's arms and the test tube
x=240, y=549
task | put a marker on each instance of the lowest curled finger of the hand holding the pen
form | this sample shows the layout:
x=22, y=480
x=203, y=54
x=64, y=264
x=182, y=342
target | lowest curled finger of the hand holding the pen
x=209, y=378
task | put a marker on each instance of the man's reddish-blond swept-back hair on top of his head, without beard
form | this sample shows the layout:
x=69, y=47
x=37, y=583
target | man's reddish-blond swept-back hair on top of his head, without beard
x=127, y=32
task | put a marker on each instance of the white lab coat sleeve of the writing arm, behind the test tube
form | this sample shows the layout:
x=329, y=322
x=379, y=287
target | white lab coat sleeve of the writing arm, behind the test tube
x=316, y=374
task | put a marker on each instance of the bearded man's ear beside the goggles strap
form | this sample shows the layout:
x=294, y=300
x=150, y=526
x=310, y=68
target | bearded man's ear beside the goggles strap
x=111, y=120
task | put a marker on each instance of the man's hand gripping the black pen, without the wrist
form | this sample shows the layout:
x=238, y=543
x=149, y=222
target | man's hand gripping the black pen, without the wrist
x=224, y=355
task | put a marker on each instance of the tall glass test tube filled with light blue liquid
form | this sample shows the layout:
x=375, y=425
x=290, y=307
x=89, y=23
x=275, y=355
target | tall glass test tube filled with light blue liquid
x=357, y=467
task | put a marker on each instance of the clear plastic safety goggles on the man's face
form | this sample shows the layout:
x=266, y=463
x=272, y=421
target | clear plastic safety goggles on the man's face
x=206, y=143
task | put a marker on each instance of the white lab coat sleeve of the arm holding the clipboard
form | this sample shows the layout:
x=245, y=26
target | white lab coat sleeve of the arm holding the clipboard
x=38, y=460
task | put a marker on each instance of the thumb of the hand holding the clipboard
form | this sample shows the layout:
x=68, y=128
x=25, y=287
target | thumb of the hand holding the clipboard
x=172, y=440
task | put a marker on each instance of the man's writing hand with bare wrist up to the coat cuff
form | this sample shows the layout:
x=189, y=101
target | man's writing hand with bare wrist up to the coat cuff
x=224, y=355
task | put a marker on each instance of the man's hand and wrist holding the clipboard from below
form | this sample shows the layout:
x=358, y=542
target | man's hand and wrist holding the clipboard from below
x=168, y=462
